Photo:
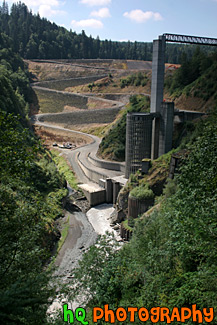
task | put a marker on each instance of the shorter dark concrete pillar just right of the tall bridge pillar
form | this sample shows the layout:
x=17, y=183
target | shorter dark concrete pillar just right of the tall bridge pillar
x=166, y=127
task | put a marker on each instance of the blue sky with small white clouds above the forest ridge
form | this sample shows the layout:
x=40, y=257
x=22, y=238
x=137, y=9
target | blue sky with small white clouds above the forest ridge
x=134, y=20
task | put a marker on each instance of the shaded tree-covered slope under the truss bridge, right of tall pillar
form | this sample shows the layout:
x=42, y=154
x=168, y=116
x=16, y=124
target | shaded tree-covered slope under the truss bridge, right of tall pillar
x=195, y=79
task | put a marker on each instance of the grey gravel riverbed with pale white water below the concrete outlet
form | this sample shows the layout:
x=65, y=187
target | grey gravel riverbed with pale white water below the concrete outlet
x=83, y=232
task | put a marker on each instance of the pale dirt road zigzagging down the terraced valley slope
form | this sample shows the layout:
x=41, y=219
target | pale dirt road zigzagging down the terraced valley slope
x=85, y=150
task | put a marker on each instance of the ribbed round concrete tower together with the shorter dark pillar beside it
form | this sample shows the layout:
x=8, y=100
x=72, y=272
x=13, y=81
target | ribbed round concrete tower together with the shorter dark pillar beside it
x=139, y=136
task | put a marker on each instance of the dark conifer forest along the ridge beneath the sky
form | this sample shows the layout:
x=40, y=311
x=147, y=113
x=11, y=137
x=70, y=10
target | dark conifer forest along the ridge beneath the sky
x=36, y=38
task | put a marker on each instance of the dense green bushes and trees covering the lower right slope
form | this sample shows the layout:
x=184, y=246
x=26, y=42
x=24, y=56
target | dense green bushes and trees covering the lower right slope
x=171, y=258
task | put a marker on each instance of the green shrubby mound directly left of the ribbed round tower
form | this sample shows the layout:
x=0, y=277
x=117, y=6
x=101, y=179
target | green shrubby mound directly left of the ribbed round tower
x=113, y=144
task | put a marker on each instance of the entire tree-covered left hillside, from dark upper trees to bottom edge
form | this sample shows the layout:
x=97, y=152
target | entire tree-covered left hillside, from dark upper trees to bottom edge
x=31, y=190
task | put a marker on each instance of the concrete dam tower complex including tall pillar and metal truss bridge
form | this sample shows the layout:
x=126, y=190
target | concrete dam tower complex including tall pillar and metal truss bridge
x=150, y=135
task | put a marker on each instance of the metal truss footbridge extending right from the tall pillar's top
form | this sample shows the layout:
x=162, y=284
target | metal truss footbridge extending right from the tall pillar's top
x=190, y=39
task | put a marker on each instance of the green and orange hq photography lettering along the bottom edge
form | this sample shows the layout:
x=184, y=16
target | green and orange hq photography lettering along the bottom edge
x=155, y=315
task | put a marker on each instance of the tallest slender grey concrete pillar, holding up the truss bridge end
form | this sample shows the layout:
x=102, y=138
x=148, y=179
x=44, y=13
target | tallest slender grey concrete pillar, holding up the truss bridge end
x=157, y=87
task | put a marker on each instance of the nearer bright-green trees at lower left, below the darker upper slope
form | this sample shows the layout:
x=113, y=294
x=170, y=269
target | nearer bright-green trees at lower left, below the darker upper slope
x=25, y=229
